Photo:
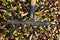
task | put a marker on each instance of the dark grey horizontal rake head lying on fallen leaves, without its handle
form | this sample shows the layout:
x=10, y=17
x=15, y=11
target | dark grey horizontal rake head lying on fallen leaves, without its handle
x=28, y=22
